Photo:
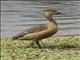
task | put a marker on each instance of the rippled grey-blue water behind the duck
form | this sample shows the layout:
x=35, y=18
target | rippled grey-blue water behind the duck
x=19, y=15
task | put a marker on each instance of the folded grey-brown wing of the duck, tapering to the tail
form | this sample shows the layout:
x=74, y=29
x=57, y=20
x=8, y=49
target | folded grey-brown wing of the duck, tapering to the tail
x=34, y=29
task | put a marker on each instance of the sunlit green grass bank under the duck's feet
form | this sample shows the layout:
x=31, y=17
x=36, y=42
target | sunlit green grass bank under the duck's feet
x=54, y=48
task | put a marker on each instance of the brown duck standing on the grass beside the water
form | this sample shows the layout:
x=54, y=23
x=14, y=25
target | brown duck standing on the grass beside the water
x=40, y=32
